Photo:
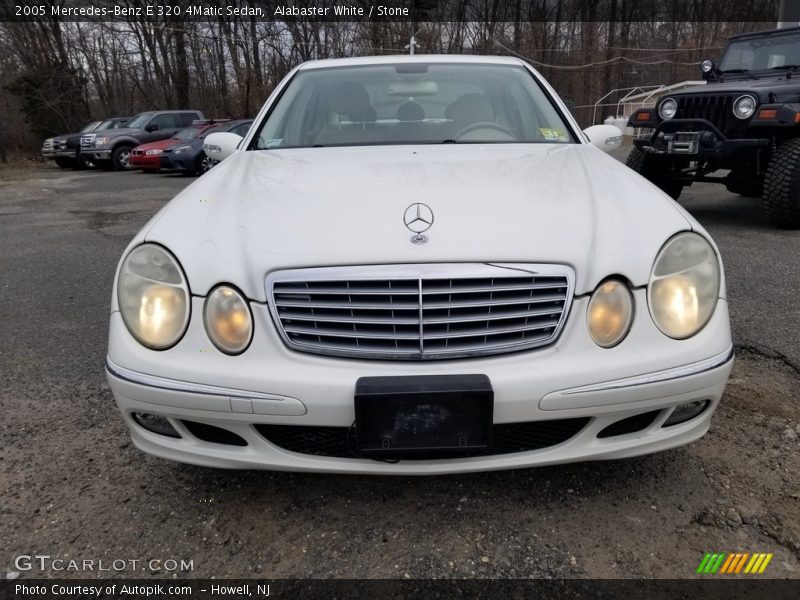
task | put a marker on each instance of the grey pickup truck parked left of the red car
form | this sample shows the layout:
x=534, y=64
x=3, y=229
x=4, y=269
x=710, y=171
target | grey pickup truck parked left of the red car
x=112, y=149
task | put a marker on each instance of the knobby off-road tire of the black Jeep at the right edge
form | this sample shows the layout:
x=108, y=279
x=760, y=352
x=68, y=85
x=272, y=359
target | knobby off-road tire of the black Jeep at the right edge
x=782, y=186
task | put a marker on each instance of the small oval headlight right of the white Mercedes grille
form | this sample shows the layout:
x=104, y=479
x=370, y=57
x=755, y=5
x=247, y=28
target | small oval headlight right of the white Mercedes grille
x=610, y=313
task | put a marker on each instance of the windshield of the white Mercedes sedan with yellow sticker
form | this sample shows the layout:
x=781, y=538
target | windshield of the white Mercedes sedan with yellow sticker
x=412, y=103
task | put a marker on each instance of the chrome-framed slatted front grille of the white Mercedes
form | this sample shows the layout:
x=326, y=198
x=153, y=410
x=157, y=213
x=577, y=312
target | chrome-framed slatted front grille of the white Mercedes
x=420, y=312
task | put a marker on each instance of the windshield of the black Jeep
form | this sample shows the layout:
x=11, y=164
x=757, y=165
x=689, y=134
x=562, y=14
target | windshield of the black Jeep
x=762, y=54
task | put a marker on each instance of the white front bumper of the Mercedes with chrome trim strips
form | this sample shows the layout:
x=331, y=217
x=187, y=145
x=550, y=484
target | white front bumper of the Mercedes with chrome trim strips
x=270, y=384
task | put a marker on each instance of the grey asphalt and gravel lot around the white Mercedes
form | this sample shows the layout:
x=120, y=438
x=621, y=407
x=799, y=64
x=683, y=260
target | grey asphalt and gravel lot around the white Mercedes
x=72, y=485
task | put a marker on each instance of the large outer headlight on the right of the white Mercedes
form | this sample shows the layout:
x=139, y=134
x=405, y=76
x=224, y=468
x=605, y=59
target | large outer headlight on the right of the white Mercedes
x=684, y=285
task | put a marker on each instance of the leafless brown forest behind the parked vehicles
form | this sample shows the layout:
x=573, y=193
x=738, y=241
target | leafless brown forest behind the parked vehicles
x=55, y=76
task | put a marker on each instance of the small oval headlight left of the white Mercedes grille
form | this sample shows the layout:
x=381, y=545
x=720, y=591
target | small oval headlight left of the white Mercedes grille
x=227, y=320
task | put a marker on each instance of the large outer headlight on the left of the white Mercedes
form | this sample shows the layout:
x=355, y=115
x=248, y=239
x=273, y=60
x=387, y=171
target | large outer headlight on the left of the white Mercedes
x=153, y=297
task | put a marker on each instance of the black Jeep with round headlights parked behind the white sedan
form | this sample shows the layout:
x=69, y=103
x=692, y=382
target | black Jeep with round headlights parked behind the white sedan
x=745, y=120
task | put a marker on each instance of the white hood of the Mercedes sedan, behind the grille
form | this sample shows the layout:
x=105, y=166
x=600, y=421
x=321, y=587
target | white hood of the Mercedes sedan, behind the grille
x=260, y=211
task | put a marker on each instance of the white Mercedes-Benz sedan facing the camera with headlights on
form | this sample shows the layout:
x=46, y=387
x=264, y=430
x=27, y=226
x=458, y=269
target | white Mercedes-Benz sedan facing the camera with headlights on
x=417, y=265
